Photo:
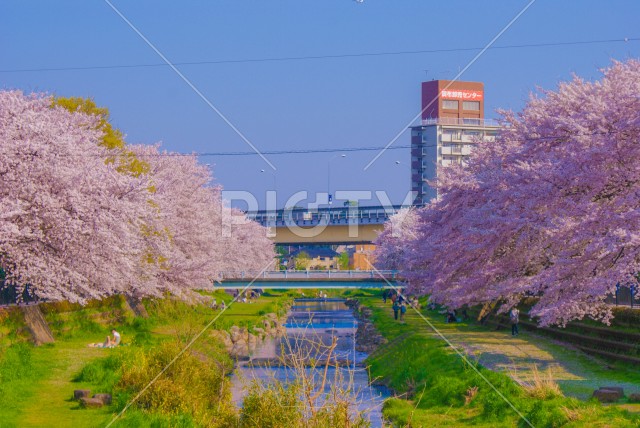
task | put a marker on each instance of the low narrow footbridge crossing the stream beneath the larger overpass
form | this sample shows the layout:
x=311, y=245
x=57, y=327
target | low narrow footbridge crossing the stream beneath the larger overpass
x=309, y=279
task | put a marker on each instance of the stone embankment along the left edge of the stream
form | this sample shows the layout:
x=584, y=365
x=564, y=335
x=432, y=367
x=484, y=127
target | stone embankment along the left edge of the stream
x=241, y=342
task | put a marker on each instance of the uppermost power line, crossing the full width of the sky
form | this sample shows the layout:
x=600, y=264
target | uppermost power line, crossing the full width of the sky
x=322, y=57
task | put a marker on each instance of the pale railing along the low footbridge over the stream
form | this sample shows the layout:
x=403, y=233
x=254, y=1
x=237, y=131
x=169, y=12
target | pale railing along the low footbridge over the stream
x=307, y=274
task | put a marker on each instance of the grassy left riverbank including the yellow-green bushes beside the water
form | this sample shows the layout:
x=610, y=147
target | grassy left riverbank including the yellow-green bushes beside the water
x=36, y=383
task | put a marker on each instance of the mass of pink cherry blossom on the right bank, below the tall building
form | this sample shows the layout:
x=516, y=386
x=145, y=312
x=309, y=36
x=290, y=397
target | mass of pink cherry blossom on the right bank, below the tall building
x=551, y=209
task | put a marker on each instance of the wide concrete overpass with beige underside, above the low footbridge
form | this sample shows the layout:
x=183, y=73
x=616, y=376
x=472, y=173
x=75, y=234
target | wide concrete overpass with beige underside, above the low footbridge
x=332, y=225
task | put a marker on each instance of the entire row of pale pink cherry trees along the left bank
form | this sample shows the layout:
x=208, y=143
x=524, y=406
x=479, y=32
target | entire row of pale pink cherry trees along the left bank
x=74, y=225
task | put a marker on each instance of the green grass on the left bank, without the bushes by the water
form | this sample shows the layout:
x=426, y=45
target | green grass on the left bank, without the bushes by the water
x=37, y=383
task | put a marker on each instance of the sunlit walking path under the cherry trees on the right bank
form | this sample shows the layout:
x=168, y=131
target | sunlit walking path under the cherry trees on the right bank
x=577, y=373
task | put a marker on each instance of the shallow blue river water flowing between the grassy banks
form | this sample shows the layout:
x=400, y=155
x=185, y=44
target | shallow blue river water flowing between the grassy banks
x=310, y=322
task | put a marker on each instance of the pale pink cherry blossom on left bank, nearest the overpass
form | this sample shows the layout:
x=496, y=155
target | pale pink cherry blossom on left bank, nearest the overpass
x=192, y=236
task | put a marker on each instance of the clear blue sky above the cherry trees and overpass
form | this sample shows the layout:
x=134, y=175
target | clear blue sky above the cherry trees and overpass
x=313, y=103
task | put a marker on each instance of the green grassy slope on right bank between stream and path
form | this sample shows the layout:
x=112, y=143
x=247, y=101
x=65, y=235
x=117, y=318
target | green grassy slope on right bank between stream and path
x=439, y=388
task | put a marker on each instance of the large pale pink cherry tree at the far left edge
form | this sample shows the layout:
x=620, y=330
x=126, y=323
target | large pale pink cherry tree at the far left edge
x=69, y=223
